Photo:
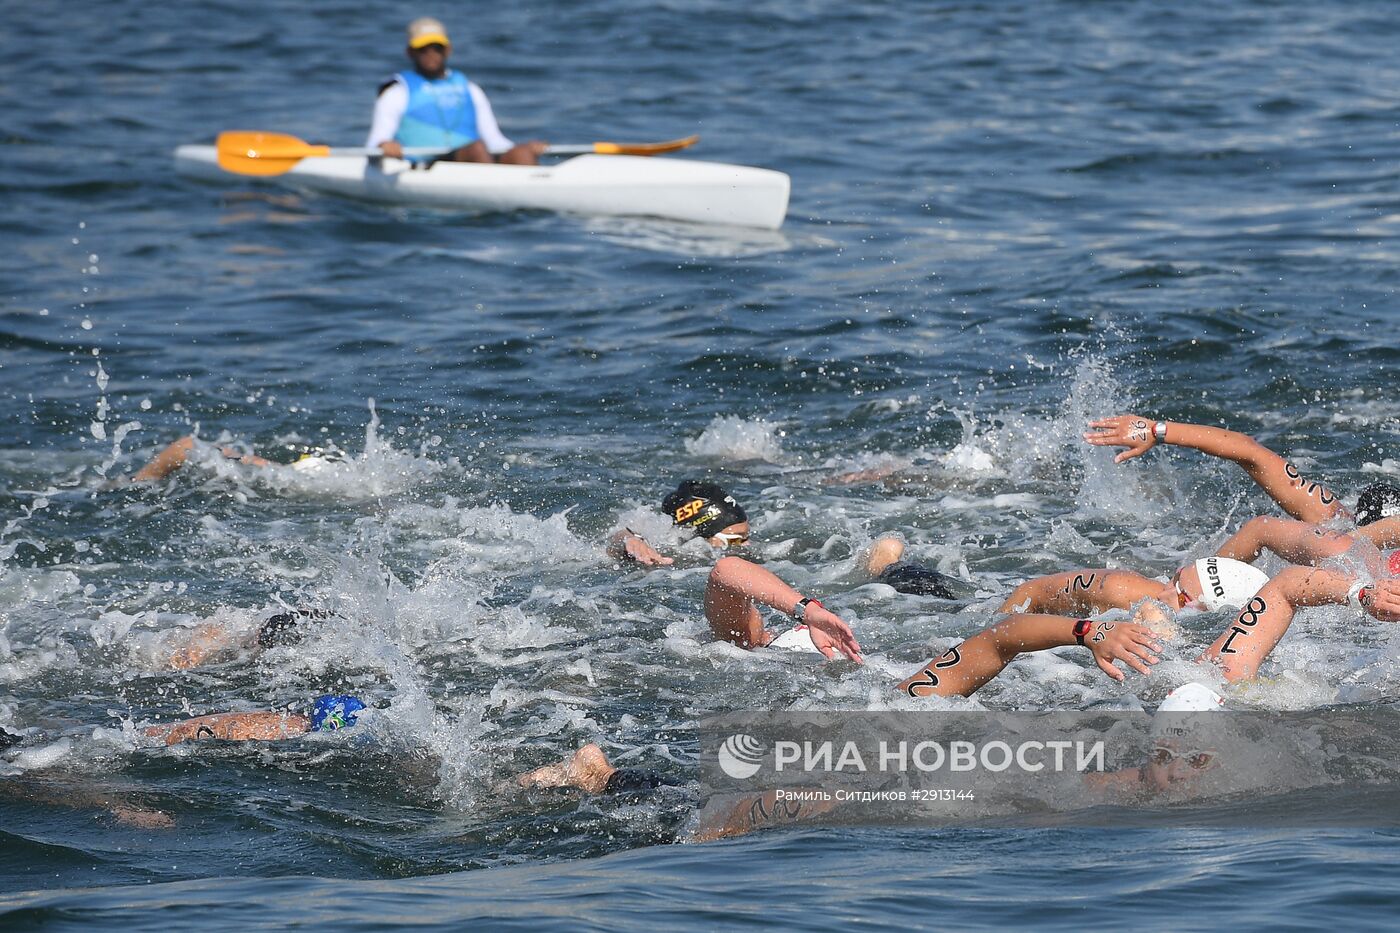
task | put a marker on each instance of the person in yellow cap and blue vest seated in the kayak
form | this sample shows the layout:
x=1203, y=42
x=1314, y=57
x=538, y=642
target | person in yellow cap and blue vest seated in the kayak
x=432, y=106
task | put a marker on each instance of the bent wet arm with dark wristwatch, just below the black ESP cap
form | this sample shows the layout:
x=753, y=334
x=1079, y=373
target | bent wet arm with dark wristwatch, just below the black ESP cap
x=734, y=595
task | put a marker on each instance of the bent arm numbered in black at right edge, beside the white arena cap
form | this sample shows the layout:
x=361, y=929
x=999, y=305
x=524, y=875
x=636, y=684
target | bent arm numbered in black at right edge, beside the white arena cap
x=1265, y=620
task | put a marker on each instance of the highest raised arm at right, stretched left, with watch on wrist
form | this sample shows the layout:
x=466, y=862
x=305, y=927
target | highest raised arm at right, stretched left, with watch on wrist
x=1298, y=497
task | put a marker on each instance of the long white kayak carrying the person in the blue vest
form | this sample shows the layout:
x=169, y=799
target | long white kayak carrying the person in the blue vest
x=611, y=186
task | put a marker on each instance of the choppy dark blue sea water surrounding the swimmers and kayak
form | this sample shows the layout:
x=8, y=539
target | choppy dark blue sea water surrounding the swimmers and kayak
x=1006, y=219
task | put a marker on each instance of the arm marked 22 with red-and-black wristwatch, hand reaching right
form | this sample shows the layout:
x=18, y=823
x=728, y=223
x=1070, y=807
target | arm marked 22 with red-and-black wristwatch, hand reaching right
x=965, y=669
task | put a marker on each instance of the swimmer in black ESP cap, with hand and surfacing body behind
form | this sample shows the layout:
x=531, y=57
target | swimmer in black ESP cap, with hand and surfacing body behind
x=712, y=513
